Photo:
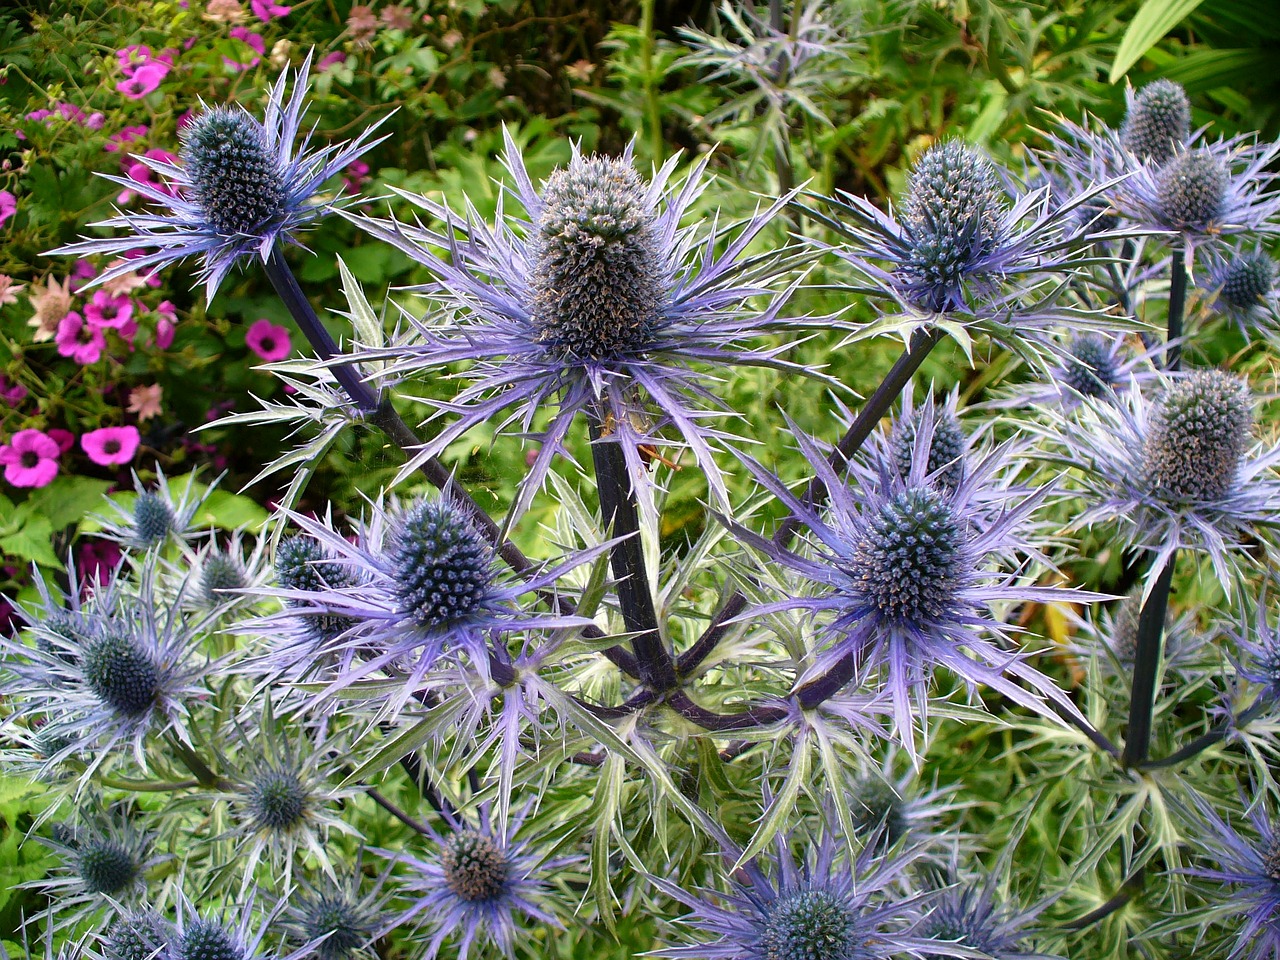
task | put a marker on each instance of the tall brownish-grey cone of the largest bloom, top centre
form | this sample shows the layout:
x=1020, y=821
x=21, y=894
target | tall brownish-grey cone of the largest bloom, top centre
x=597, y=276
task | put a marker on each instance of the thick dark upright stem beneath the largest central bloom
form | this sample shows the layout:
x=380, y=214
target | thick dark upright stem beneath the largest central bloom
x=621, y=519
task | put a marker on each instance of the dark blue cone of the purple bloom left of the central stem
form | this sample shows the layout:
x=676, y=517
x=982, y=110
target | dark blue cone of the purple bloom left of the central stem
x=442, y=566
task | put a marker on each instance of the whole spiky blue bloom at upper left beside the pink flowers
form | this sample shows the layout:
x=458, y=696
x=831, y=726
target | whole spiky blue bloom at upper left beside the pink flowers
x=241, y=188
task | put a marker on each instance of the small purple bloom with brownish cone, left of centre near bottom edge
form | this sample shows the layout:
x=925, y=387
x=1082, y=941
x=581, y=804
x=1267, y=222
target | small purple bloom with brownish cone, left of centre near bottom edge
x=477, y=890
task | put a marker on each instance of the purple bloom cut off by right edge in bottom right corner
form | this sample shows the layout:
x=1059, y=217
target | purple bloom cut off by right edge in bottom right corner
x=1251, y=870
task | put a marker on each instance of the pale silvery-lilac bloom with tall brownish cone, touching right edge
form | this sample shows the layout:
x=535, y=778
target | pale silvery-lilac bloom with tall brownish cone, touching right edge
x=1181, y=472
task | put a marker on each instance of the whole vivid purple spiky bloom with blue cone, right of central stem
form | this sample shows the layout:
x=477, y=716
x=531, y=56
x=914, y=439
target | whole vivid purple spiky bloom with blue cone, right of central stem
x=909, y=570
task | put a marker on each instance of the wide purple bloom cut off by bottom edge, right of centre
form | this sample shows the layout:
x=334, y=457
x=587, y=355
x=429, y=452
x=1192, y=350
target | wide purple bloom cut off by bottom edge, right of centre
x=825, y=908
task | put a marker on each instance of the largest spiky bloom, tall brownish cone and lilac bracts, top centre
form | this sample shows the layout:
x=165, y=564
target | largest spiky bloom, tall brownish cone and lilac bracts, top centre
x=600, y=303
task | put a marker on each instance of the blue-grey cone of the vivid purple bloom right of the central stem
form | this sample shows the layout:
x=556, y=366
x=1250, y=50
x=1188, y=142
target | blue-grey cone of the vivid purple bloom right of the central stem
x=908, y=563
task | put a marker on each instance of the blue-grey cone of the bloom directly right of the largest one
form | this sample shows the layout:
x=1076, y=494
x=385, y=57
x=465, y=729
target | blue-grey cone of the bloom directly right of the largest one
x=954, y=209
